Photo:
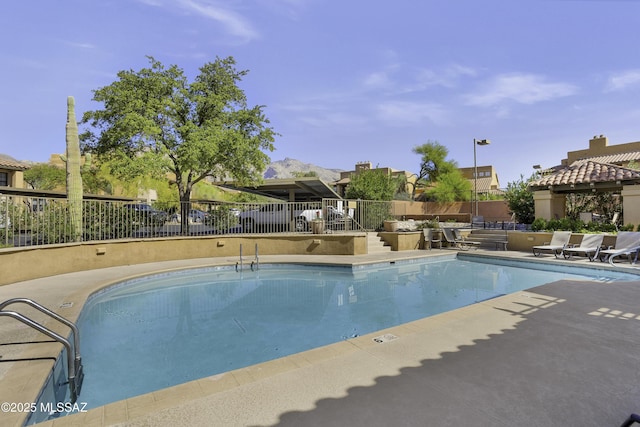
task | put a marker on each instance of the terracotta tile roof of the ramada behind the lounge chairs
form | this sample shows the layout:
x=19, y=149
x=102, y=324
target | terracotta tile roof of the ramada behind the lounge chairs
x=586, y=172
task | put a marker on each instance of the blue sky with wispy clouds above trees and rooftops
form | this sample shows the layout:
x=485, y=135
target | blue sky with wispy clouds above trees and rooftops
x=347, y=81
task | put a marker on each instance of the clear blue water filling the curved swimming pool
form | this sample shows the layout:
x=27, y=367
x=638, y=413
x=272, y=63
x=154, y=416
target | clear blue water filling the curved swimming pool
x=166, y=329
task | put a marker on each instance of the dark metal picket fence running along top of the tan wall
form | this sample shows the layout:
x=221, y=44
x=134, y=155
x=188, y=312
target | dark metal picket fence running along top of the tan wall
x=27, y=220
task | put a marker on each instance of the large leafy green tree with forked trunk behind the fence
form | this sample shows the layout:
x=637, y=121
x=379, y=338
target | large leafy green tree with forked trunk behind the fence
x=157, y=123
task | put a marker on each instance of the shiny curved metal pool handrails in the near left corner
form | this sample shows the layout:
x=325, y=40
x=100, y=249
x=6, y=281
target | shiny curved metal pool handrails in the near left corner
x=74, y=361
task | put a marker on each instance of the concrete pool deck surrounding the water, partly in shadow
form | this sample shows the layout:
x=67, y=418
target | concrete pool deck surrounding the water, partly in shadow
x=565, y=353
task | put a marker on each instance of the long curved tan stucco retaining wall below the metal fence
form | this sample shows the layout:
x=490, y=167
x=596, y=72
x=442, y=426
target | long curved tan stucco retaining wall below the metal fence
x=18, y=264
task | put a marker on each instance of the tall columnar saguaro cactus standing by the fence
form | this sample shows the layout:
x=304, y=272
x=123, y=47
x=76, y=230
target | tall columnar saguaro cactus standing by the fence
x=74, y=179
